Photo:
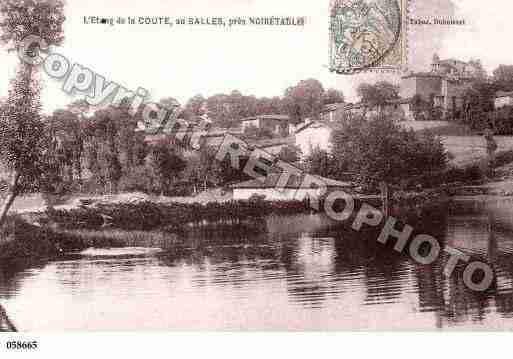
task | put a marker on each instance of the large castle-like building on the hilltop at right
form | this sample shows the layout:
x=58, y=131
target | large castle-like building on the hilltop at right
x=443, y=86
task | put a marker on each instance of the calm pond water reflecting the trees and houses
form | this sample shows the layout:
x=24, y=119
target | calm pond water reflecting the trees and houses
x=298, y=273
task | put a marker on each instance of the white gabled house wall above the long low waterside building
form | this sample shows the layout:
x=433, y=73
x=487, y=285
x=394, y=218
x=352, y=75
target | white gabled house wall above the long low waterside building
x=316, y=134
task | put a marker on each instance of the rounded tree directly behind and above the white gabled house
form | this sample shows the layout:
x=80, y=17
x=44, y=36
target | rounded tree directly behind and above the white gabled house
x=305, y=100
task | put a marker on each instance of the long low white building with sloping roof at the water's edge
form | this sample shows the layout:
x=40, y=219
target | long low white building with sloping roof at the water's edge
x=296, y=189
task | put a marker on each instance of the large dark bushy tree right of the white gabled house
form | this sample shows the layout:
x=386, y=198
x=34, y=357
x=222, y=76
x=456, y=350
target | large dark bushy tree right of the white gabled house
x=381, y=151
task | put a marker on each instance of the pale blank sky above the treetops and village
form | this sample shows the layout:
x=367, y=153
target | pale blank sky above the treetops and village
x=263, y=61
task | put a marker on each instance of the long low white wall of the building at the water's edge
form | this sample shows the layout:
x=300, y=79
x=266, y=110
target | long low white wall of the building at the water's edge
x=287, y=194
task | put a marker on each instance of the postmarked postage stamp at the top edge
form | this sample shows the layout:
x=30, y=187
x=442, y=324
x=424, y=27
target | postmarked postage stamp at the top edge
x=368, y=35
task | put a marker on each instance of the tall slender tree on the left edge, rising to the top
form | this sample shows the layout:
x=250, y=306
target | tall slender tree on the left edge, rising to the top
x=20, y=120
